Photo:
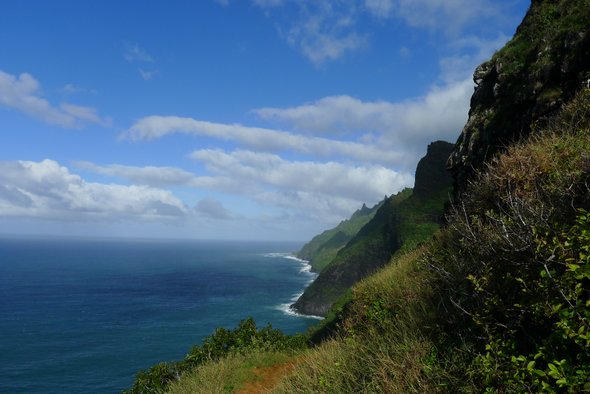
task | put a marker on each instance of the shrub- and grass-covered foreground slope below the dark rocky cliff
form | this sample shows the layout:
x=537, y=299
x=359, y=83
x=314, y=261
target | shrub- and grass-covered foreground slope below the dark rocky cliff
x=473, y=310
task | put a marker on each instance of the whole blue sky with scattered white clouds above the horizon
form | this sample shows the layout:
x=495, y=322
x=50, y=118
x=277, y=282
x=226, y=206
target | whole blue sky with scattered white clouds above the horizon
x=227, y=119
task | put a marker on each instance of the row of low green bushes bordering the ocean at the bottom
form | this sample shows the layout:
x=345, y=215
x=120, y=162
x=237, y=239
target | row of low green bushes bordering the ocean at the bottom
x=246, y=338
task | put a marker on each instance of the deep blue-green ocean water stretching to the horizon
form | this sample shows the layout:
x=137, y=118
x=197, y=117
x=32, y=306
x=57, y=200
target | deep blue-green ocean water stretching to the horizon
x=84, y=316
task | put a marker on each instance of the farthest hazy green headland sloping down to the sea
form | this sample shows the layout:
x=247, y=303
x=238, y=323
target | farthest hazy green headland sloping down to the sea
x=322, y=249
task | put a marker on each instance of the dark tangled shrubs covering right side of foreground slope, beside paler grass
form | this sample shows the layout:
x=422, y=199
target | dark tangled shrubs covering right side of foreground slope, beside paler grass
x=510, y=271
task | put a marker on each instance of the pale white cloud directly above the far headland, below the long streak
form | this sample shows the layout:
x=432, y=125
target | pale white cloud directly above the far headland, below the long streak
x=323, y=192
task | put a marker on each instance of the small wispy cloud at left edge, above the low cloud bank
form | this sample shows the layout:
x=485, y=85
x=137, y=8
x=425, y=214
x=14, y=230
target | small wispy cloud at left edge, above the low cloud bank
x=23, y=93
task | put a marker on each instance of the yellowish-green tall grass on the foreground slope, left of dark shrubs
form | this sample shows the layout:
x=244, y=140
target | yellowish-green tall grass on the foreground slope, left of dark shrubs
x=381, y=346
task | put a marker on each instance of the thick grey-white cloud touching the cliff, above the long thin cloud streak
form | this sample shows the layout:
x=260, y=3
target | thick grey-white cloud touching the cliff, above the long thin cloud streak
x=399, y=126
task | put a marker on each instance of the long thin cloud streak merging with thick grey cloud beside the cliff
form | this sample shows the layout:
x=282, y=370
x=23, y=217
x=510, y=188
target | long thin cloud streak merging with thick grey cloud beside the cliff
x=367, y=132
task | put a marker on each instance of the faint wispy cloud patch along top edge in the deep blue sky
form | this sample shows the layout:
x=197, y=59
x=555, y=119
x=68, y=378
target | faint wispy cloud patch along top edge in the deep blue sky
x=325, y=31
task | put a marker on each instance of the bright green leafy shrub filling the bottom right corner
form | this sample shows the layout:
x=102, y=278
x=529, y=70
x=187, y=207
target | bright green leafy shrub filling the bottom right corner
x=558, y=301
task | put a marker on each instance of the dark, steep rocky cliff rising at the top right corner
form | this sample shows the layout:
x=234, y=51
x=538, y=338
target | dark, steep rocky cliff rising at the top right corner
x=524, y=83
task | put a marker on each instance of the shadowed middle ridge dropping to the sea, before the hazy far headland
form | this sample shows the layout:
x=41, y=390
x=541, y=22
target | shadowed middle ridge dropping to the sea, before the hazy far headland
x=403, y=219
